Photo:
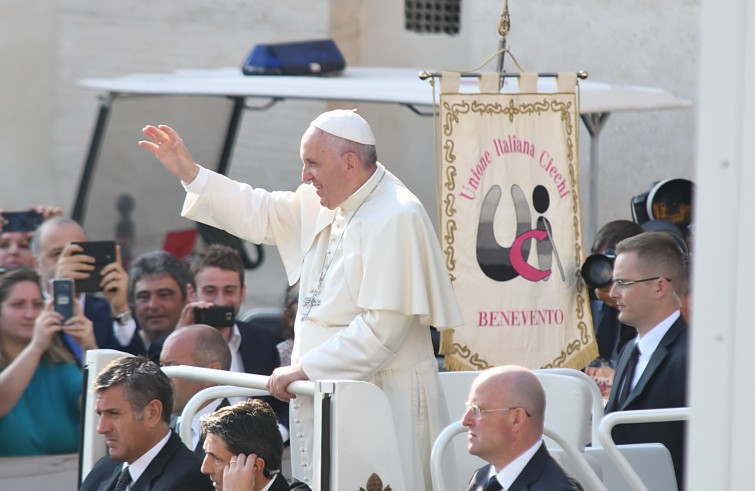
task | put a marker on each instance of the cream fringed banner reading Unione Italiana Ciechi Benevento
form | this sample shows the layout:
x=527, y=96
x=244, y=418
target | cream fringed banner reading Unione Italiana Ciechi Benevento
x=511, y=227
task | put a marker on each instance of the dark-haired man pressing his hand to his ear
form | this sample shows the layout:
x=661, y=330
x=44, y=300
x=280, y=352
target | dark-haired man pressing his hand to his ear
x=243, y=448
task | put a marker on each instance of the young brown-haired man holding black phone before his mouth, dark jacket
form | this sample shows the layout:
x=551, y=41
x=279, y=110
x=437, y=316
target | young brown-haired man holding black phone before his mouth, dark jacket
x=219, y=278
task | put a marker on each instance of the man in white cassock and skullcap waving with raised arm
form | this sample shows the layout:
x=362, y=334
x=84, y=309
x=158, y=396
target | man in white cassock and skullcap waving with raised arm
x=372, y=275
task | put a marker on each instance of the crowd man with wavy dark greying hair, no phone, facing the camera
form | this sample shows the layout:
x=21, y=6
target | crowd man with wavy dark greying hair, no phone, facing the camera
x=158, y=291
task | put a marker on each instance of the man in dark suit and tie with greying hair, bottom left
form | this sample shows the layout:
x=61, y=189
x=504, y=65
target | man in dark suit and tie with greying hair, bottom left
x=134, y=402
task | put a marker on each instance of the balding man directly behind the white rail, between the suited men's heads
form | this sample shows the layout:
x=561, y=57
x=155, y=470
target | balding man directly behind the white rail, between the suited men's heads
x=196, y=346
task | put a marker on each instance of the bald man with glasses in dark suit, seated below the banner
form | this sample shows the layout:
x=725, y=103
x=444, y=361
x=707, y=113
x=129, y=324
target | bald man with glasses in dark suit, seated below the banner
x=505, y=416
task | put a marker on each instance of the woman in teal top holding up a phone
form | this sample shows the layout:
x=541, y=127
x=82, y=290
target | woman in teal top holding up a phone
x=40, y=381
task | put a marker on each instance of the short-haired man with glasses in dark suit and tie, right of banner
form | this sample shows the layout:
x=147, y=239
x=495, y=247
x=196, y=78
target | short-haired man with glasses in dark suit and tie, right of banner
x=651, y=372
